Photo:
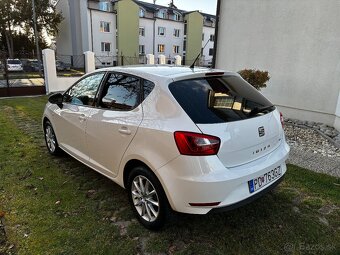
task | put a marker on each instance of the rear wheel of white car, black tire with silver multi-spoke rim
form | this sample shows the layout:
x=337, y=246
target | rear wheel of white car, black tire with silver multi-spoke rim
x=147, y=198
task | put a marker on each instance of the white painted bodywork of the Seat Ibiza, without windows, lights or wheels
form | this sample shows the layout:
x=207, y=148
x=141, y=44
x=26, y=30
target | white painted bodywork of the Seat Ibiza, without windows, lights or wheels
x=107, y=140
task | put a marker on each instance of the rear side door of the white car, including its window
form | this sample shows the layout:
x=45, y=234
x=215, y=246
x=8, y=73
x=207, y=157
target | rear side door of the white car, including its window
x=113, y=124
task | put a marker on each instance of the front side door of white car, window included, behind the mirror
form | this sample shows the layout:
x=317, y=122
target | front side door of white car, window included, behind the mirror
x=70, y=120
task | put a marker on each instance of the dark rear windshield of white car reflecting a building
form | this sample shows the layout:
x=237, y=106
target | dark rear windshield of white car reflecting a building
x=219, y=99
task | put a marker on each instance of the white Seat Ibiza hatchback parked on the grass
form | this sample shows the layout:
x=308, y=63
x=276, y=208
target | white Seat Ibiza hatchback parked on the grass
x=192, y=140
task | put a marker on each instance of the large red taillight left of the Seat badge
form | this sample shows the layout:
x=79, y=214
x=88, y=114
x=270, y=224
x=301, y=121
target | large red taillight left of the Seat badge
x=194, y=144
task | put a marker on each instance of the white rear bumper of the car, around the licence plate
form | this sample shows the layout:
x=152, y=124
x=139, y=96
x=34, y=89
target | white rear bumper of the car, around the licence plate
x=205, y=180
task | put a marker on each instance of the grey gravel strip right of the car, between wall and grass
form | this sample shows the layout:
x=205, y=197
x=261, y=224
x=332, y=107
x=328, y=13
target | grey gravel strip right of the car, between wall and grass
x=312, y=151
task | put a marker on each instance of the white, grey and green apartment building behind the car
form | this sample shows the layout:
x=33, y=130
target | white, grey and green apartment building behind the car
x=132, y=29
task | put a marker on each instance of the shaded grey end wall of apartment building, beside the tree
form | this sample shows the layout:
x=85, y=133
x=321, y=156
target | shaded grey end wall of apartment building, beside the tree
x=63, y=39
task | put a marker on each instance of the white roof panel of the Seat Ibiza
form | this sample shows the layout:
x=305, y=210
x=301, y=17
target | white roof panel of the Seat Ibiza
x=166, y=71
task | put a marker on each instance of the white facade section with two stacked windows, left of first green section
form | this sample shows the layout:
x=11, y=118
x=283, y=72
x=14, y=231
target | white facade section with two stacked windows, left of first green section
x=103, y=58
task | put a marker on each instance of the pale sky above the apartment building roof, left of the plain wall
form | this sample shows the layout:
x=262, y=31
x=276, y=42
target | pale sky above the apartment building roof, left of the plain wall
x=206, y=6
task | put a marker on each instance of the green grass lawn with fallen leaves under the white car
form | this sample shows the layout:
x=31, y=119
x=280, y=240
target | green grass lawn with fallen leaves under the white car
x=52, y=205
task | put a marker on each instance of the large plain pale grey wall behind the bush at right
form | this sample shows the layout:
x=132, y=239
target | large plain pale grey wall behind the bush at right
x=296, y=41
